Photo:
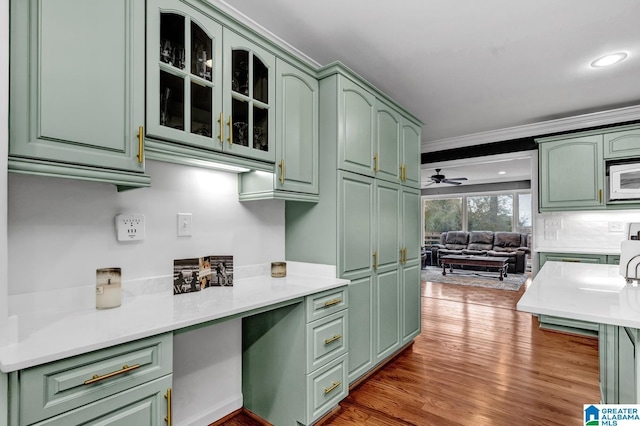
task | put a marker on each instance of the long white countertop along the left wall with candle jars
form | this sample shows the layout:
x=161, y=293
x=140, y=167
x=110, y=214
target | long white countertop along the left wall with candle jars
x=49, y=336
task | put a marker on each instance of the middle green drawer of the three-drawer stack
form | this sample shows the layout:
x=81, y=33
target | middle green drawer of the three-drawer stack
x=326, y=339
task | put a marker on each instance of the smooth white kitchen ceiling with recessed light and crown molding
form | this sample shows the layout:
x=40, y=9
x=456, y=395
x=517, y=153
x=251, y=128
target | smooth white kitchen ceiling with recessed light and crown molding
x=466, y=67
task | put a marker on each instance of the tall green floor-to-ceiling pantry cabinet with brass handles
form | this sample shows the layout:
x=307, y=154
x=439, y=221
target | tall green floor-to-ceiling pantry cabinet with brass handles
x=366, y=225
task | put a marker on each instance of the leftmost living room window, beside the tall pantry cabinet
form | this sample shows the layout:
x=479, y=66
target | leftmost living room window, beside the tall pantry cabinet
x=441, y=215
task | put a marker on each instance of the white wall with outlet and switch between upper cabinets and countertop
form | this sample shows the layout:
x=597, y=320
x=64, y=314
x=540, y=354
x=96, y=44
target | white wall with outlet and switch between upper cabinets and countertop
x=61, y=231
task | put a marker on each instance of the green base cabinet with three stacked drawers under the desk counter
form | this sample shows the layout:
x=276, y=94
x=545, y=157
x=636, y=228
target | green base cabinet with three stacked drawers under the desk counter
x=295, y=359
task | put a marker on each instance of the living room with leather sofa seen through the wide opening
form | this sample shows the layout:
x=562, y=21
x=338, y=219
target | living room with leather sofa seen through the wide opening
x=478, y=221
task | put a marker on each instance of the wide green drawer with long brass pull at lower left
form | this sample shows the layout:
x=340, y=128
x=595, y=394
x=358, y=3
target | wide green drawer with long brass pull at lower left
x=57, y=387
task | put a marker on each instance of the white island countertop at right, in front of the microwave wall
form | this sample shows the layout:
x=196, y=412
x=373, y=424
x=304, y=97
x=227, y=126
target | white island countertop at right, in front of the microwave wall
x=583, y=291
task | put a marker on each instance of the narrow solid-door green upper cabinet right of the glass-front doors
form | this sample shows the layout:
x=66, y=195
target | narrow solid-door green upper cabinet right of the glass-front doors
x=296, y=141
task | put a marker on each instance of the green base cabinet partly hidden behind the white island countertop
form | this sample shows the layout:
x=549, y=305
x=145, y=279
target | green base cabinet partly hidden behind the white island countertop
x=565, y=324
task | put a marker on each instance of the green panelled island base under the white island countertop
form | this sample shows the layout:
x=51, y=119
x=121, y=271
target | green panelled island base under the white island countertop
x=618, y=358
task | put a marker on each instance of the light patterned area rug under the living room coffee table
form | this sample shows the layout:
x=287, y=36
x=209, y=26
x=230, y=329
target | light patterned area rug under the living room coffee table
x=475, y=279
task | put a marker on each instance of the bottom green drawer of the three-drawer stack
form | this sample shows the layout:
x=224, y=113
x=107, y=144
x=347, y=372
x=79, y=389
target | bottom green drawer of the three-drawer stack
x=327, y=387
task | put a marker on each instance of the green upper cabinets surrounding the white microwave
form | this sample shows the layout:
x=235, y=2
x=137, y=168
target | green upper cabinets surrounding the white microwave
x=573, y=168
